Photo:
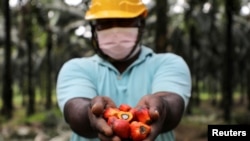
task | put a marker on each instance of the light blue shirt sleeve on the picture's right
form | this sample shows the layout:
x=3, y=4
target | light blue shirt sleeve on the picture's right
x=173, y=75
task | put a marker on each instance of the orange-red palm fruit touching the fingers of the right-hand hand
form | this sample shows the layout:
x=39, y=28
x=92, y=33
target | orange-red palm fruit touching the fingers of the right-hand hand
x=142, y=115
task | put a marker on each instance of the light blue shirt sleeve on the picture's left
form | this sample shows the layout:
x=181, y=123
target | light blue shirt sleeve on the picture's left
x=74, y=80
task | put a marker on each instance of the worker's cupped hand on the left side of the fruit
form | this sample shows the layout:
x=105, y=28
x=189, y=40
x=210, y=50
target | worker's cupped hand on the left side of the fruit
x=98, y=123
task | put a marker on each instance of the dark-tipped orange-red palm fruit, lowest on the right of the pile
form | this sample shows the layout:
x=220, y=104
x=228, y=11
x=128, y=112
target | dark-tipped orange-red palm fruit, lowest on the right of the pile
x=139, y=131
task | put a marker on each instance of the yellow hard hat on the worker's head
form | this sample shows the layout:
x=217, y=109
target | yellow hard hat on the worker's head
x=100, y=9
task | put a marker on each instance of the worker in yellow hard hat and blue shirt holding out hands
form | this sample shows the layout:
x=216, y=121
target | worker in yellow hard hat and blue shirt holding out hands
x=122, y=70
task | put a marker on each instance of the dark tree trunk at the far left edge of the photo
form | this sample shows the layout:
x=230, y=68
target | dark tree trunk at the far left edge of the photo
x=7, y=71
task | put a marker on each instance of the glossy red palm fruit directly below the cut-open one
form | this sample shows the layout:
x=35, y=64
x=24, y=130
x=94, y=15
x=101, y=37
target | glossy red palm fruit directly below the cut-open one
x=120, y=127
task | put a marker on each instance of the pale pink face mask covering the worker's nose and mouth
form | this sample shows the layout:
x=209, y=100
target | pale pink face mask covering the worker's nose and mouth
x=118, y=42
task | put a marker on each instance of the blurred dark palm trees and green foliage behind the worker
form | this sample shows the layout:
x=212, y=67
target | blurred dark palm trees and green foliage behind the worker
x=37, y=37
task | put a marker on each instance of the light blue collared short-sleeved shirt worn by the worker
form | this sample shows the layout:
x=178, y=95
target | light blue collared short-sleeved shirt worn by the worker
x=92, y=76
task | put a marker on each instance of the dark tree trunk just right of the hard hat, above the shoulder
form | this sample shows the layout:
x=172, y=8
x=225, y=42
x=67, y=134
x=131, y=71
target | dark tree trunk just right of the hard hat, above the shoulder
x=161, y=26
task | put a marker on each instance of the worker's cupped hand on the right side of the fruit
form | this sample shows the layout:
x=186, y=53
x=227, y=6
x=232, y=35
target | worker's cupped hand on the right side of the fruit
x=157, y=110
